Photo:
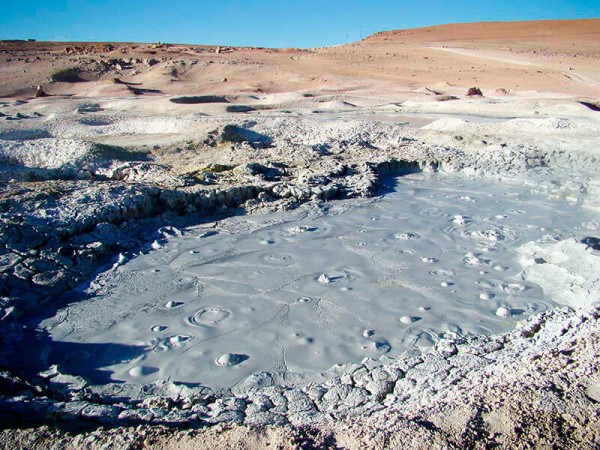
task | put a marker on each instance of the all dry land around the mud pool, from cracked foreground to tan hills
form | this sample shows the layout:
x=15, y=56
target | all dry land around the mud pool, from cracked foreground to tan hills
x=107, y=149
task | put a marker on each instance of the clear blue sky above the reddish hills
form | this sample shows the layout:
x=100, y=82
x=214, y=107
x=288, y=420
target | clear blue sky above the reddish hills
x=266, y=23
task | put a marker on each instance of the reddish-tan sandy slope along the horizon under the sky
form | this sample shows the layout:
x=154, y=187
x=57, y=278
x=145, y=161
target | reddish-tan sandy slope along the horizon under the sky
x=557, y=57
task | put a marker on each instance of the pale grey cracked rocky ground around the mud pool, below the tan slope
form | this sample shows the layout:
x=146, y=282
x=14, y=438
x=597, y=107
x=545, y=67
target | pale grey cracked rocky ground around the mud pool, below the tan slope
x=87, y=182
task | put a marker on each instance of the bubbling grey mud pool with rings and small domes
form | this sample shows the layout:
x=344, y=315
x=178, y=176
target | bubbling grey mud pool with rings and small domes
x=297, y=292
